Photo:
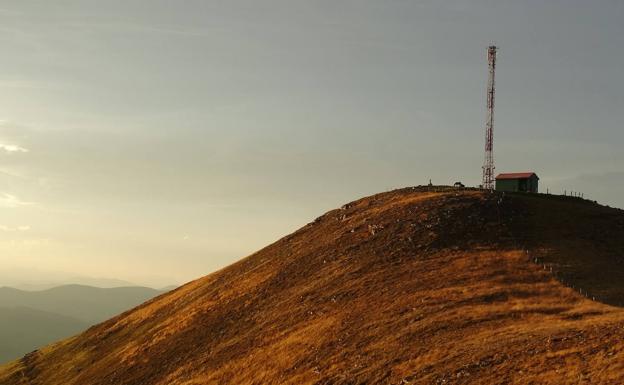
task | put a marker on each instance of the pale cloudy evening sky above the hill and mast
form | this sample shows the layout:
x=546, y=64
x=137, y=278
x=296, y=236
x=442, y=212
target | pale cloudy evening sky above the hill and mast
x=155, y=141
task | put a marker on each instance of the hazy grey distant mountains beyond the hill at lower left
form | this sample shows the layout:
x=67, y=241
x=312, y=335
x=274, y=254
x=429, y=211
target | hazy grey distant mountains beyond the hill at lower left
x=31, y=319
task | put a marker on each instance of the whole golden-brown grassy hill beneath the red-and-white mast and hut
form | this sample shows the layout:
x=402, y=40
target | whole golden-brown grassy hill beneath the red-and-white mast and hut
x=410, y=286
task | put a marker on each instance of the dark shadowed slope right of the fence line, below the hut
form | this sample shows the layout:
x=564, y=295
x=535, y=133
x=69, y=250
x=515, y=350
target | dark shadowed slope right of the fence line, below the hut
x=581, y=241
